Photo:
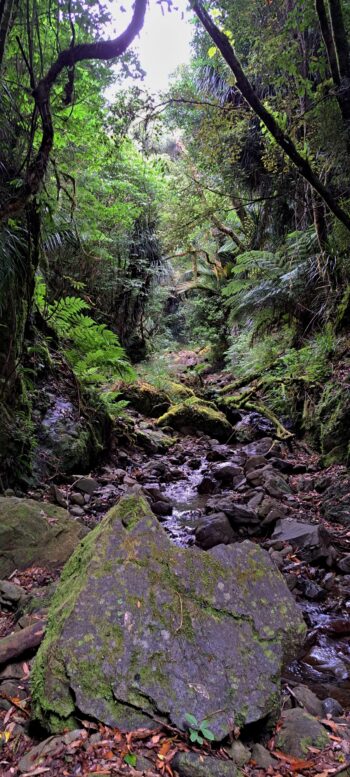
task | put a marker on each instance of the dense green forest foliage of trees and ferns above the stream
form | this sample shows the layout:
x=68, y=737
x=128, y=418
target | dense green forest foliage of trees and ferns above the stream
x=178, y=219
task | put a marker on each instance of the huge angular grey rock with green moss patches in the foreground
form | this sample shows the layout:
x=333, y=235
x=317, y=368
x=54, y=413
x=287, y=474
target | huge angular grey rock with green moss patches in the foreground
x=140, y=628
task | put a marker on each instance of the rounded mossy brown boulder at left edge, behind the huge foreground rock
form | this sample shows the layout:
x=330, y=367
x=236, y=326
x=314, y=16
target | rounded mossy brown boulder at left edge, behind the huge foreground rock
x=35, y=532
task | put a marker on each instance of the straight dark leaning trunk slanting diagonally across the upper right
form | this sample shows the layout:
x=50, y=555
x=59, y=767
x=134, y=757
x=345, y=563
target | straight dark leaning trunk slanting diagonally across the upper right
x=281, y=138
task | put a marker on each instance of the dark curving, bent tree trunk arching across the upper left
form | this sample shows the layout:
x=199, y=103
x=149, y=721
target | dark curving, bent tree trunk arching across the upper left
x=103, y=50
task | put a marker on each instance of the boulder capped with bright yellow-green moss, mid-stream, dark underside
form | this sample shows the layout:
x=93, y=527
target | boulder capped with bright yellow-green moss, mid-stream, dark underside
x=196, y=415
